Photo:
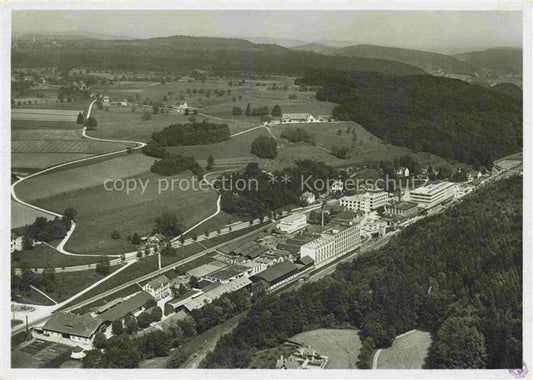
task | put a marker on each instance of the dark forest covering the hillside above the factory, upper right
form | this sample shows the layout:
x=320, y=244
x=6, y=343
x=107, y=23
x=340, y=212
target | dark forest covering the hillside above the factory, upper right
x=447, y=117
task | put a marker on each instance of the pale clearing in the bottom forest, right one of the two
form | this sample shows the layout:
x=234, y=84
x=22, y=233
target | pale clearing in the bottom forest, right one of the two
x=406, y=352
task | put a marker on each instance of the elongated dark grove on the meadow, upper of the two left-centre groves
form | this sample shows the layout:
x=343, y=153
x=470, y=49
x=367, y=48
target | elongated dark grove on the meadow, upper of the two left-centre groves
x=192, y=134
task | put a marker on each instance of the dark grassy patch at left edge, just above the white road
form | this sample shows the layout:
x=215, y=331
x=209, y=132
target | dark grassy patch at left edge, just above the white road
x=44, y=256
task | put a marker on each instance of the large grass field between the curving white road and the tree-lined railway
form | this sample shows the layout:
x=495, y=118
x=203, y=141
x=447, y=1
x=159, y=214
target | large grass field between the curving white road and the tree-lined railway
x=101, y=211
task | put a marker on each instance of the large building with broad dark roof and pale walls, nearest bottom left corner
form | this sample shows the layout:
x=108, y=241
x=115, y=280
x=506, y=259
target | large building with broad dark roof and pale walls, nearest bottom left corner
x=71, y=329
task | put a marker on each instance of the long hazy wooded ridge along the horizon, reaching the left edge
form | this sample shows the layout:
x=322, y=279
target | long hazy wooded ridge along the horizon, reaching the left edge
x=182, y=53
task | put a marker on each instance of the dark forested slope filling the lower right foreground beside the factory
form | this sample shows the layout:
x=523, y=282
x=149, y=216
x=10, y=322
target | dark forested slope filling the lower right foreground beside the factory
x=457, y=274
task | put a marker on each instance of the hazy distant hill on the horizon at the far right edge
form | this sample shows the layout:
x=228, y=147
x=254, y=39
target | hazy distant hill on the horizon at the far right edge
x=497, y=60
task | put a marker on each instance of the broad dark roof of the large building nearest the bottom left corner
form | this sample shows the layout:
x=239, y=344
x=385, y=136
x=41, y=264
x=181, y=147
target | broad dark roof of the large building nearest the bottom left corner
x=68, y=323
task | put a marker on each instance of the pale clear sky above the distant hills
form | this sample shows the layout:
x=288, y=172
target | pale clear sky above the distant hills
x=440, y=31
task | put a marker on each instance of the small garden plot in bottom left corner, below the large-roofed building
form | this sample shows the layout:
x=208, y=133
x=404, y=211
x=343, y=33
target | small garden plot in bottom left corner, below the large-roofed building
x=40, y=354
